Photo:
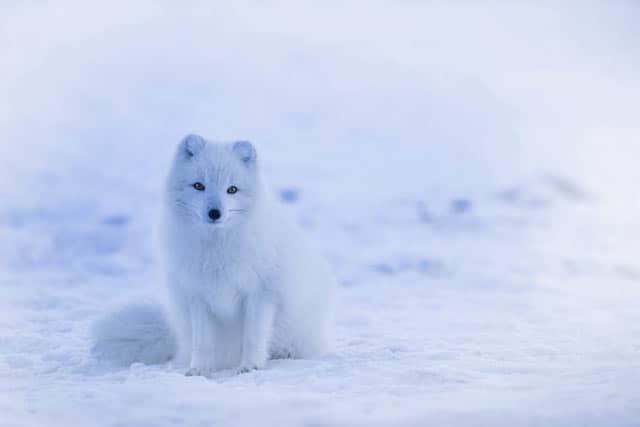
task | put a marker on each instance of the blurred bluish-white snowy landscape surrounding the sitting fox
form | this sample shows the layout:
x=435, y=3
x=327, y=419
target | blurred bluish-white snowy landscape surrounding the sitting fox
x=469, y=169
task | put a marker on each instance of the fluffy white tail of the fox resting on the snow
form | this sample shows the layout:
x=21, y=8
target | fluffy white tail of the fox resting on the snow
x=134, y=333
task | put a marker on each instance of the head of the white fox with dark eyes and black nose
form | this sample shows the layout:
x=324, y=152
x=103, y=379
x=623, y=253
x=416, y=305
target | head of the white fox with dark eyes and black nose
x=212, y=184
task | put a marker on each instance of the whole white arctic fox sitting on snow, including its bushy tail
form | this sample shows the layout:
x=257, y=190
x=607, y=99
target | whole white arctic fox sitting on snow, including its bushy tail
x=243, y=287
